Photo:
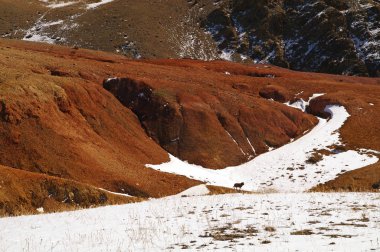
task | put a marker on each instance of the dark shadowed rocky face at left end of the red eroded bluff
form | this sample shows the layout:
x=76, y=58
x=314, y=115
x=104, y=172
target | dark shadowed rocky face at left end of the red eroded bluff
x=160, y=117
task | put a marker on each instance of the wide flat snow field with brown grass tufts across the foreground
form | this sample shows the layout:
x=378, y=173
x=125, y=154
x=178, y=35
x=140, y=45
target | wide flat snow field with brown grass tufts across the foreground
x=235, y=222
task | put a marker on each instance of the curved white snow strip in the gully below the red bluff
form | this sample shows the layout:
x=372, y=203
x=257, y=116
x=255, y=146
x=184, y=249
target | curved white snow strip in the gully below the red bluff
x=285, y=169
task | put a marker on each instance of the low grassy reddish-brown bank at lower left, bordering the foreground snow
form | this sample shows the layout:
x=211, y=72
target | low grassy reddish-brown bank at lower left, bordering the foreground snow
x=24, y=192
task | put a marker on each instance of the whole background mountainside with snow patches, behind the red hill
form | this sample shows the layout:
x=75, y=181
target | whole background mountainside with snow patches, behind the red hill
x=340, y=37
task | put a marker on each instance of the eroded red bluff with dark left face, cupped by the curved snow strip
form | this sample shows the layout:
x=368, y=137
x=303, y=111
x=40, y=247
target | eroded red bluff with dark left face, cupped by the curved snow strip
x=211, y=129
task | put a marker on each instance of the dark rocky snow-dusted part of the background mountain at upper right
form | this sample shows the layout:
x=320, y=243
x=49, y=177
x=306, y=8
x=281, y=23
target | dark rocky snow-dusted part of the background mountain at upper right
x=339, y=37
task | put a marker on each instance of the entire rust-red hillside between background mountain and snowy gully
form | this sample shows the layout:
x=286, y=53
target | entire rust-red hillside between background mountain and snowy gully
x=57, y=119
